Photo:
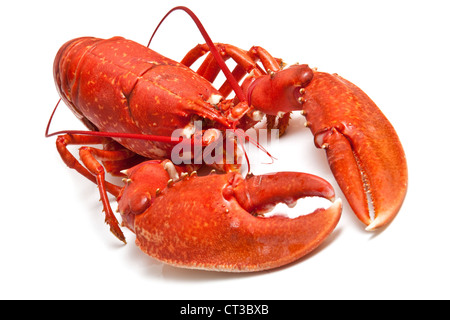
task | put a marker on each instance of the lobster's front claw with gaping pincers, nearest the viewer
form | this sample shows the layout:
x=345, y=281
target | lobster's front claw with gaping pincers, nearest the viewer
x=206, y=222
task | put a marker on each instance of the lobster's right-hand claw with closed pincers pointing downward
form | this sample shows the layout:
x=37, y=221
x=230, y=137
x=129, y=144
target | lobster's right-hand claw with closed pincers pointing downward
x=363, y=149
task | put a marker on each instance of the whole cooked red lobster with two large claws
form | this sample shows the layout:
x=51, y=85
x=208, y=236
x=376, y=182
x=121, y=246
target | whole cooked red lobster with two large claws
x=132, y=99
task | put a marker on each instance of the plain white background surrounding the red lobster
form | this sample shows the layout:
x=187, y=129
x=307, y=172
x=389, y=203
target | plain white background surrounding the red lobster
x=54, y=243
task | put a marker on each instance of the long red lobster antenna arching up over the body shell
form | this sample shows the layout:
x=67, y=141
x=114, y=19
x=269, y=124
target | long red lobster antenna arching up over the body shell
x=212, y=48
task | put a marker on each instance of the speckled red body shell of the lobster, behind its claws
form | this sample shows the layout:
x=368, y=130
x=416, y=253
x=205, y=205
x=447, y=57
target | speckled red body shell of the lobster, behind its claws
x=117, y=85
